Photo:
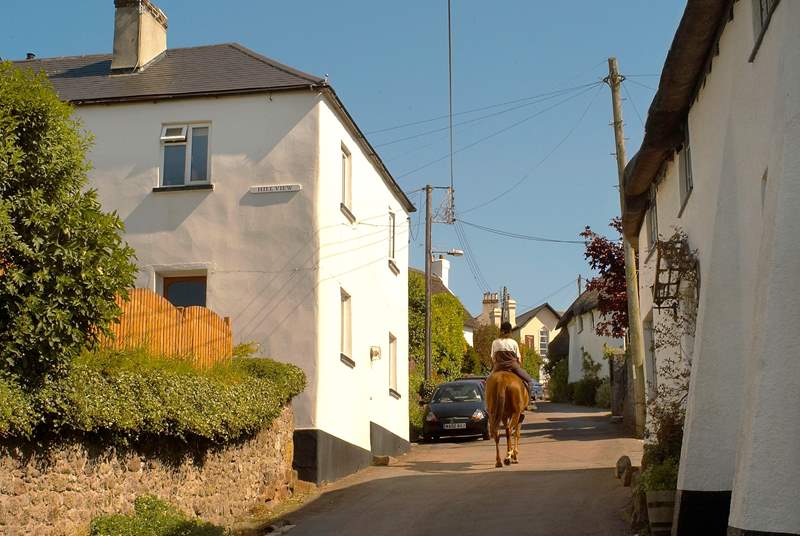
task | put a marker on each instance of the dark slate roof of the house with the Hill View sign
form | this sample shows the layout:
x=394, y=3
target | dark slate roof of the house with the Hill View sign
x=222, y=69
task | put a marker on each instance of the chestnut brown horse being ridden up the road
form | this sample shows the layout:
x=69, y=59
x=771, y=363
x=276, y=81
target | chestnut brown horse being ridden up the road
x=506, y=399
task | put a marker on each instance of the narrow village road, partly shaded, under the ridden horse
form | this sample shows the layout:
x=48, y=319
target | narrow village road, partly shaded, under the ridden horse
x=563, y=485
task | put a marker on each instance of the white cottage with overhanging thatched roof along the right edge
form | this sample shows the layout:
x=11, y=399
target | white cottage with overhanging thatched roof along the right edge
x=721, y=160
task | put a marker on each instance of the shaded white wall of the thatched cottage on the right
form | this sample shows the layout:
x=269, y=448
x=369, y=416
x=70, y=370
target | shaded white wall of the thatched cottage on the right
x=741, y=416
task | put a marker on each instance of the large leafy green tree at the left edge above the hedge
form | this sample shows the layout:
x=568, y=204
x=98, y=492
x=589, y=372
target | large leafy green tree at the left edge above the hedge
x=62, y=261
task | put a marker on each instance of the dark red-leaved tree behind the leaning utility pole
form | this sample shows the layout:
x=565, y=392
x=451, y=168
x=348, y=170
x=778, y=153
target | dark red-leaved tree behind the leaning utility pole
x=607, y=257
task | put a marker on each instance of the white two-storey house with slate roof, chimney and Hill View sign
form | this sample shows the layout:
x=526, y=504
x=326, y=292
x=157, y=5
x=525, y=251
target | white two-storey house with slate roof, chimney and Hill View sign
x=246, y=186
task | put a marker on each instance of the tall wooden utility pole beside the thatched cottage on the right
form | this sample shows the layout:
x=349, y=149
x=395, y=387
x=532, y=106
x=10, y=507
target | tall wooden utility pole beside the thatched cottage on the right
x=635, y=331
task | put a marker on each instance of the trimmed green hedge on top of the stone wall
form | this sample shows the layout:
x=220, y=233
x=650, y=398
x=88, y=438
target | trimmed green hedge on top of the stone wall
x=131, y=394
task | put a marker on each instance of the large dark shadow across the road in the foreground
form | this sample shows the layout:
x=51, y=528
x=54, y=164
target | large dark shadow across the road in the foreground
x=574, y=502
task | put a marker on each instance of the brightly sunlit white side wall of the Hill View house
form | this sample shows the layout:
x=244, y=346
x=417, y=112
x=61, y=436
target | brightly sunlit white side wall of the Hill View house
x=355, y=258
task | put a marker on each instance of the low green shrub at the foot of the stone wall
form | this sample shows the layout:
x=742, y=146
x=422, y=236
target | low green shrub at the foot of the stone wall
x=153, y=517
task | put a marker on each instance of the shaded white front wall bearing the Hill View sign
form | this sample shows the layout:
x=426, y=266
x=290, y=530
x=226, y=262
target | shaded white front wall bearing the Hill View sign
x=259, y=251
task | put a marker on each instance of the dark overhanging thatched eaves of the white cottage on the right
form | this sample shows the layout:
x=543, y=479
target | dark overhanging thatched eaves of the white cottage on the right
x=688, y=61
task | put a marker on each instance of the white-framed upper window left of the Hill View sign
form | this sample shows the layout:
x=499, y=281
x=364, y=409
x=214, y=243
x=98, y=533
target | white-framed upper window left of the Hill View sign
x=185, y=154
